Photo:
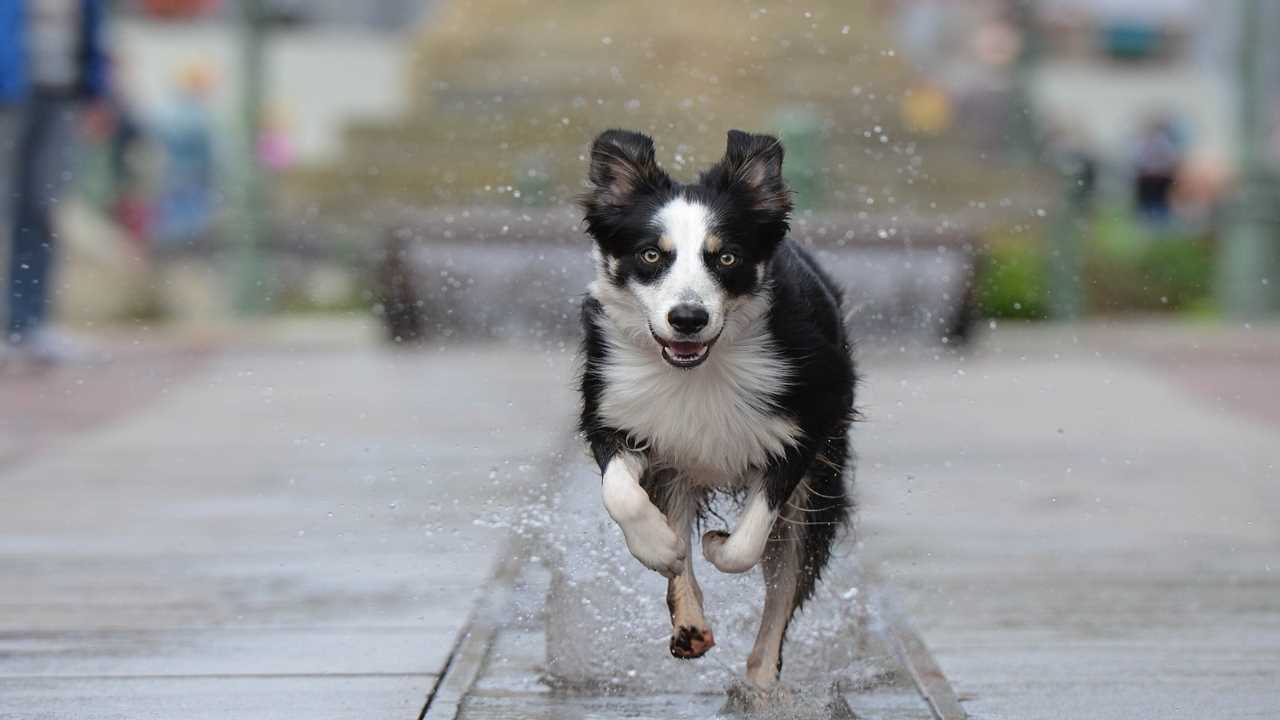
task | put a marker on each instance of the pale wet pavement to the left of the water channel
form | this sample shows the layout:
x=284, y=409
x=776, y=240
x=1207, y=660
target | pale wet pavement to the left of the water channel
x=289, y=531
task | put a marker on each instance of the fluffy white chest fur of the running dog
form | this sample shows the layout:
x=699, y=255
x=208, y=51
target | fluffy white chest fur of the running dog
x=714, y=423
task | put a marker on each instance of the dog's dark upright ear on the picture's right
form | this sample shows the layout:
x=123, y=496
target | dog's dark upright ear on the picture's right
x=753, y=168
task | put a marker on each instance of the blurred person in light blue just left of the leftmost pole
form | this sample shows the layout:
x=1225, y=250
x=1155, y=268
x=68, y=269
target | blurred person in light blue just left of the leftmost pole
x=186, y=204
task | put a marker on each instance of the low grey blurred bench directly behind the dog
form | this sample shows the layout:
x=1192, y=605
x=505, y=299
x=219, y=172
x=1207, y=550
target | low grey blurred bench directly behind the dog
x=520, y=274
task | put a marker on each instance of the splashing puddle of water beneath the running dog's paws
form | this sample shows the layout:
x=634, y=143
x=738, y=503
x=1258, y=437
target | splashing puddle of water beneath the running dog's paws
x=607, y=627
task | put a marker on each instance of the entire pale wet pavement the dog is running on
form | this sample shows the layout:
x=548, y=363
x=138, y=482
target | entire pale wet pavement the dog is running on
x=1080, y=523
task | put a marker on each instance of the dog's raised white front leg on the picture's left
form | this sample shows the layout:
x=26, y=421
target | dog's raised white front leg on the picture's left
x=650, y=539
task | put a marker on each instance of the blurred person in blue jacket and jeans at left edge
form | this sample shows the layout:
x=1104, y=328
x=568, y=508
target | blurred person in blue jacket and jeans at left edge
x=52, y=62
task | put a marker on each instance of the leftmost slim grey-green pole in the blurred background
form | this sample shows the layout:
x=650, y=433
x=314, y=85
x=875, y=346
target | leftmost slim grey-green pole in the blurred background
x=252, y=218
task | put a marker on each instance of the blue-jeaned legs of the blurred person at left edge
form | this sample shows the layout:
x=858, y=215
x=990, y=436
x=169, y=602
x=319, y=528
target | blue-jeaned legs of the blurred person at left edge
x=43, y=163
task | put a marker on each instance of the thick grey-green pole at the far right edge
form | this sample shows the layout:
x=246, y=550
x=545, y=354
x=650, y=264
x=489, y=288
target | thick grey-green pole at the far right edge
x=1247, y=261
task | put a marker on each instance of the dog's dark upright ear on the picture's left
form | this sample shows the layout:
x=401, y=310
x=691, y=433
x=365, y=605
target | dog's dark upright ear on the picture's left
x=623, y=167
